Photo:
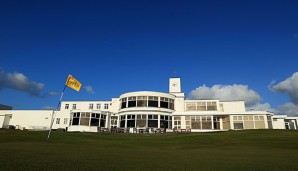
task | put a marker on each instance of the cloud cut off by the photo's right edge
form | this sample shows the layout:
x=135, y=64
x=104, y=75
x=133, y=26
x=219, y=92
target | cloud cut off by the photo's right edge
x=289, y=87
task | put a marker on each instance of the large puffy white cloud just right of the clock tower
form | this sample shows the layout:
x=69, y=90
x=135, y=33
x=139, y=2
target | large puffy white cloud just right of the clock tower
x=227, y=93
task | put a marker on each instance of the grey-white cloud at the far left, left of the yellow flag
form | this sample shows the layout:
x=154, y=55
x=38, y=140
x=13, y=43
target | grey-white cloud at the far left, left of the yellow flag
x=20, y=82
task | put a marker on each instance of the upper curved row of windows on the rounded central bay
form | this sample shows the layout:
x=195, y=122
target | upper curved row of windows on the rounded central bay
x=147, y=101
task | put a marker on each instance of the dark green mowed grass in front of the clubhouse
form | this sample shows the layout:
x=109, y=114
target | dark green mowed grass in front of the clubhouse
x=233, y=150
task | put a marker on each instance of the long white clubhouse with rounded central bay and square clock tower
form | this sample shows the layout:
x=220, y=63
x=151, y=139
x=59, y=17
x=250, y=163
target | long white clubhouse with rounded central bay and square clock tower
x=149, y=111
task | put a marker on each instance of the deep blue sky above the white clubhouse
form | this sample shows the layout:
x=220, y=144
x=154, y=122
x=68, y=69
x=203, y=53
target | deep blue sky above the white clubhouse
x=122, y=46
